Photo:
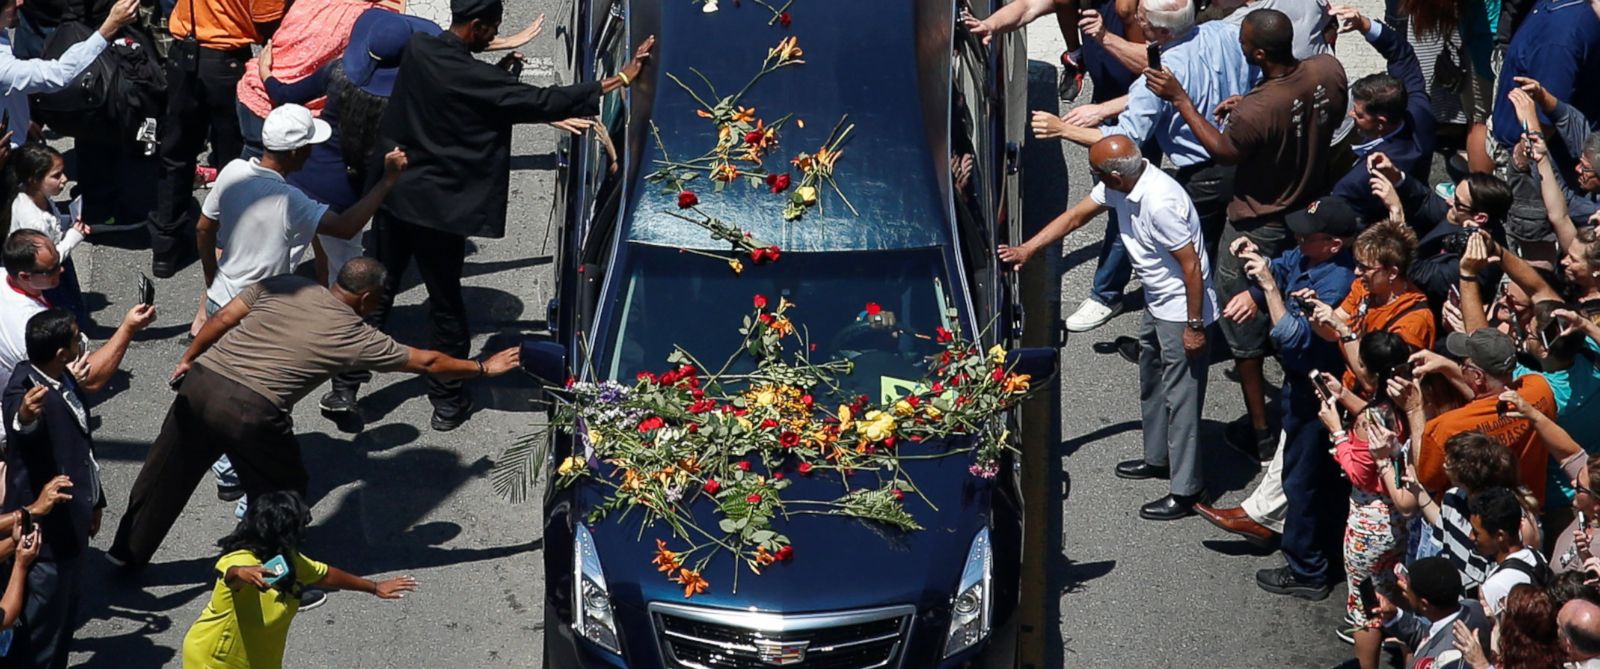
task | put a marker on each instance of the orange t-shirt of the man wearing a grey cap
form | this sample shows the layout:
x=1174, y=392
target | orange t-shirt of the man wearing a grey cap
x=1481, y=417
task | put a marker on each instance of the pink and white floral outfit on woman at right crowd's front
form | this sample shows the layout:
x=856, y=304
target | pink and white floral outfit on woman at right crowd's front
x=1374, y=534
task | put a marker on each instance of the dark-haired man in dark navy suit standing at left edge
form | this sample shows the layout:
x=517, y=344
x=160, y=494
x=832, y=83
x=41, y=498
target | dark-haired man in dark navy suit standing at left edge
x=50, y=460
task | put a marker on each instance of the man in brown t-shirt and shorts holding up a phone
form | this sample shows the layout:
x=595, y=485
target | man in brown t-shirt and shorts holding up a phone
x=1279, y=137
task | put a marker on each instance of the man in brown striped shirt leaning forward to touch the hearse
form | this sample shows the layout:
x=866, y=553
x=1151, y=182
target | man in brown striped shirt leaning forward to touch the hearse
x=273, y=345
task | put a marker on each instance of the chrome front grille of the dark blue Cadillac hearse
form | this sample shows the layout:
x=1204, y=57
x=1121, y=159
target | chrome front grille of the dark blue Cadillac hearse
x=778, y=623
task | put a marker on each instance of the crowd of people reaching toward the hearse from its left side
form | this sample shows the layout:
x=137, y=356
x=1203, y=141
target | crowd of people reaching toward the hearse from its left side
x=324, y=119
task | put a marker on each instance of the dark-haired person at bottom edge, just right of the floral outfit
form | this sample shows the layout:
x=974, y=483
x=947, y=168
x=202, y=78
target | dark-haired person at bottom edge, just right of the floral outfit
x=1433, y=590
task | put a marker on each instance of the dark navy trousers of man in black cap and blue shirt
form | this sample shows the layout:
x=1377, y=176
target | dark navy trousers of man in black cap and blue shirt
x=1318, y=497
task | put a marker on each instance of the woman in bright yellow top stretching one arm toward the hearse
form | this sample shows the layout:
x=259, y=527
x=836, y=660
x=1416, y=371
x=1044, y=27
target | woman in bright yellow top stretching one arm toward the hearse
x=247, y=623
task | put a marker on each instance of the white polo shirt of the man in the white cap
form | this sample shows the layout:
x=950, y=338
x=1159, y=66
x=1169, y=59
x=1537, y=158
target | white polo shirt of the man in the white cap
x=265, y=226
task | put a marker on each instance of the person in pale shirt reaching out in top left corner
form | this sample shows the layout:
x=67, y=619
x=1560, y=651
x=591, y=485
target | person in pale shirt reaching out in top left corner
x=23, y=78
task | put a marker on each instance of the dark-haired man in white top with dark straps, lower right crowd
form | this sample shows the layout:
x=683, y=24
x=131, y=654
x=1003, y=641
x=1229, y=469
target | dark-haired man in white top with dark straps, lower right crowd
x=1497, y=531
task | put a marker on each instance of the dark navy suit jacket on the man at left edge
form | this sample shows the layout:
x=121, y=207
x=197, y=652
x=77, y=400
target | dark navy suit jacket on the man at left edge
x=57, y=446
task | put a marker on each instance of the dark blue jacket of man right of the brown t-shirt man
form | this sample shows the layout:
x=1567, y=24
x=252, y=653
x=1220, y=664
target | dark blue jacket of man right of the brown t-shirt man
x=1412, y=146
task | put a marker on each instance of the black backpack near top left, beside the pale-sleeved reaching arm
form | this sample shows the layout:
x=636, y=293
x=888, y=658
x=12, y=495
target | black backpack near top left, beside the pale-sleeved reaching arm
x=110, y=102
